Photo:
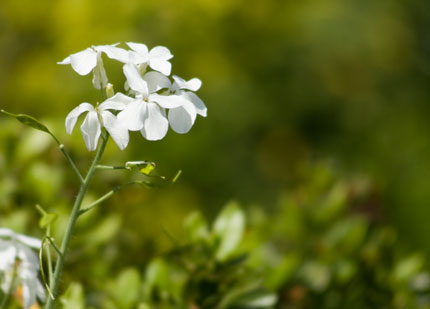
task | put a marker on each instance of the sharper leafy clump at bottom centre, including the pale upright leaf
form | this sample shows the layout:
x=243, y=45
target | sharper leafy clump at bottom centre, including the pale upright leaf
x=207, y=271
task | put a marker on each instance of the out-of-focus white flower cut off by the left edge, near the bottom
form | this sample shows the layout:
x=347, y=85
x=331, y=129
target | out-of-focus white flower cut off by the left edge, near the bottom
x=19, y=266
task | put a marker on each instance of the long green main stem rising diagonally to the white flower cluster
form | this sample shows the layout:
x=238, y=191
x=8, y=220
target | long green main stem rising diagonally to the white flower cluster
x=72, y=221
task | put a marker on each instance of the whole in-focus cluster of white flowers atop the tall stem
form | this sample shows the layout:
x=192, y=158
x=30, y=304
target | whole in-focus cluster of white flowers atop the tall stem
x=153, y=100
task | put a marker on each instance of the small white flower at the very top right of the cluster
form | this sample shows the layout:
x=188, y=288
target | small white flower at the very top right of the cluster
x=157, y=58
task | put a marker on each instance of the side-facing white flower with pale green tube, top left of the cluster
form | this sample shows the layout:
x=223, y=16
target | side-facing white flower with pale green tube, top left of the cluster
x=90, y=59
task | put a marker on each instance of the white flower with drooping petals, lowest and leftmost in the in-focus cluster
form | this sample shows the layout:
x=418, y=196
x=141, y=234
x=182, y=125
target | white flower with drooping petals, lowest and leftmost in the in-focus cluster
x=98, y=117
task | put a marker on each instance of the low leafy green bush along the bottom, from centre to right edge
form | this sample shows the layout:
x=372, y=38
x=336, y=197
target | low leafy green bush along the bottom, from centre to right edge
x=323, y=251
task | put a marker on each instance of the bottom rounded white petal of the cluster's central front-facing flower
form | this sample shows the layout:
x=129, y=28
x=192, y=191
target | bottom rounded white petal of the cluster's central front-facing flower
x=155, y=125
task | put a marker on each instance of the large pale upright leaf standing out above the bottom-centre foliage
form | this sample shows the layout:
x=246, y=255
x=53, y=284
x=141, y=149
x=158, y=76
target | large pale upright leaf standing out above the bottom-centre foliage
x=228, y=229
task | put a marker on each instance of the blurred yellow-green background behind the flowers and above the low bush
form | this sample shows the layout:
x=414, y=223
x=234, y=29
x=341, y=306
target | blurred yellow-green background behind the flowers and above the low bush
x=291, y=87
